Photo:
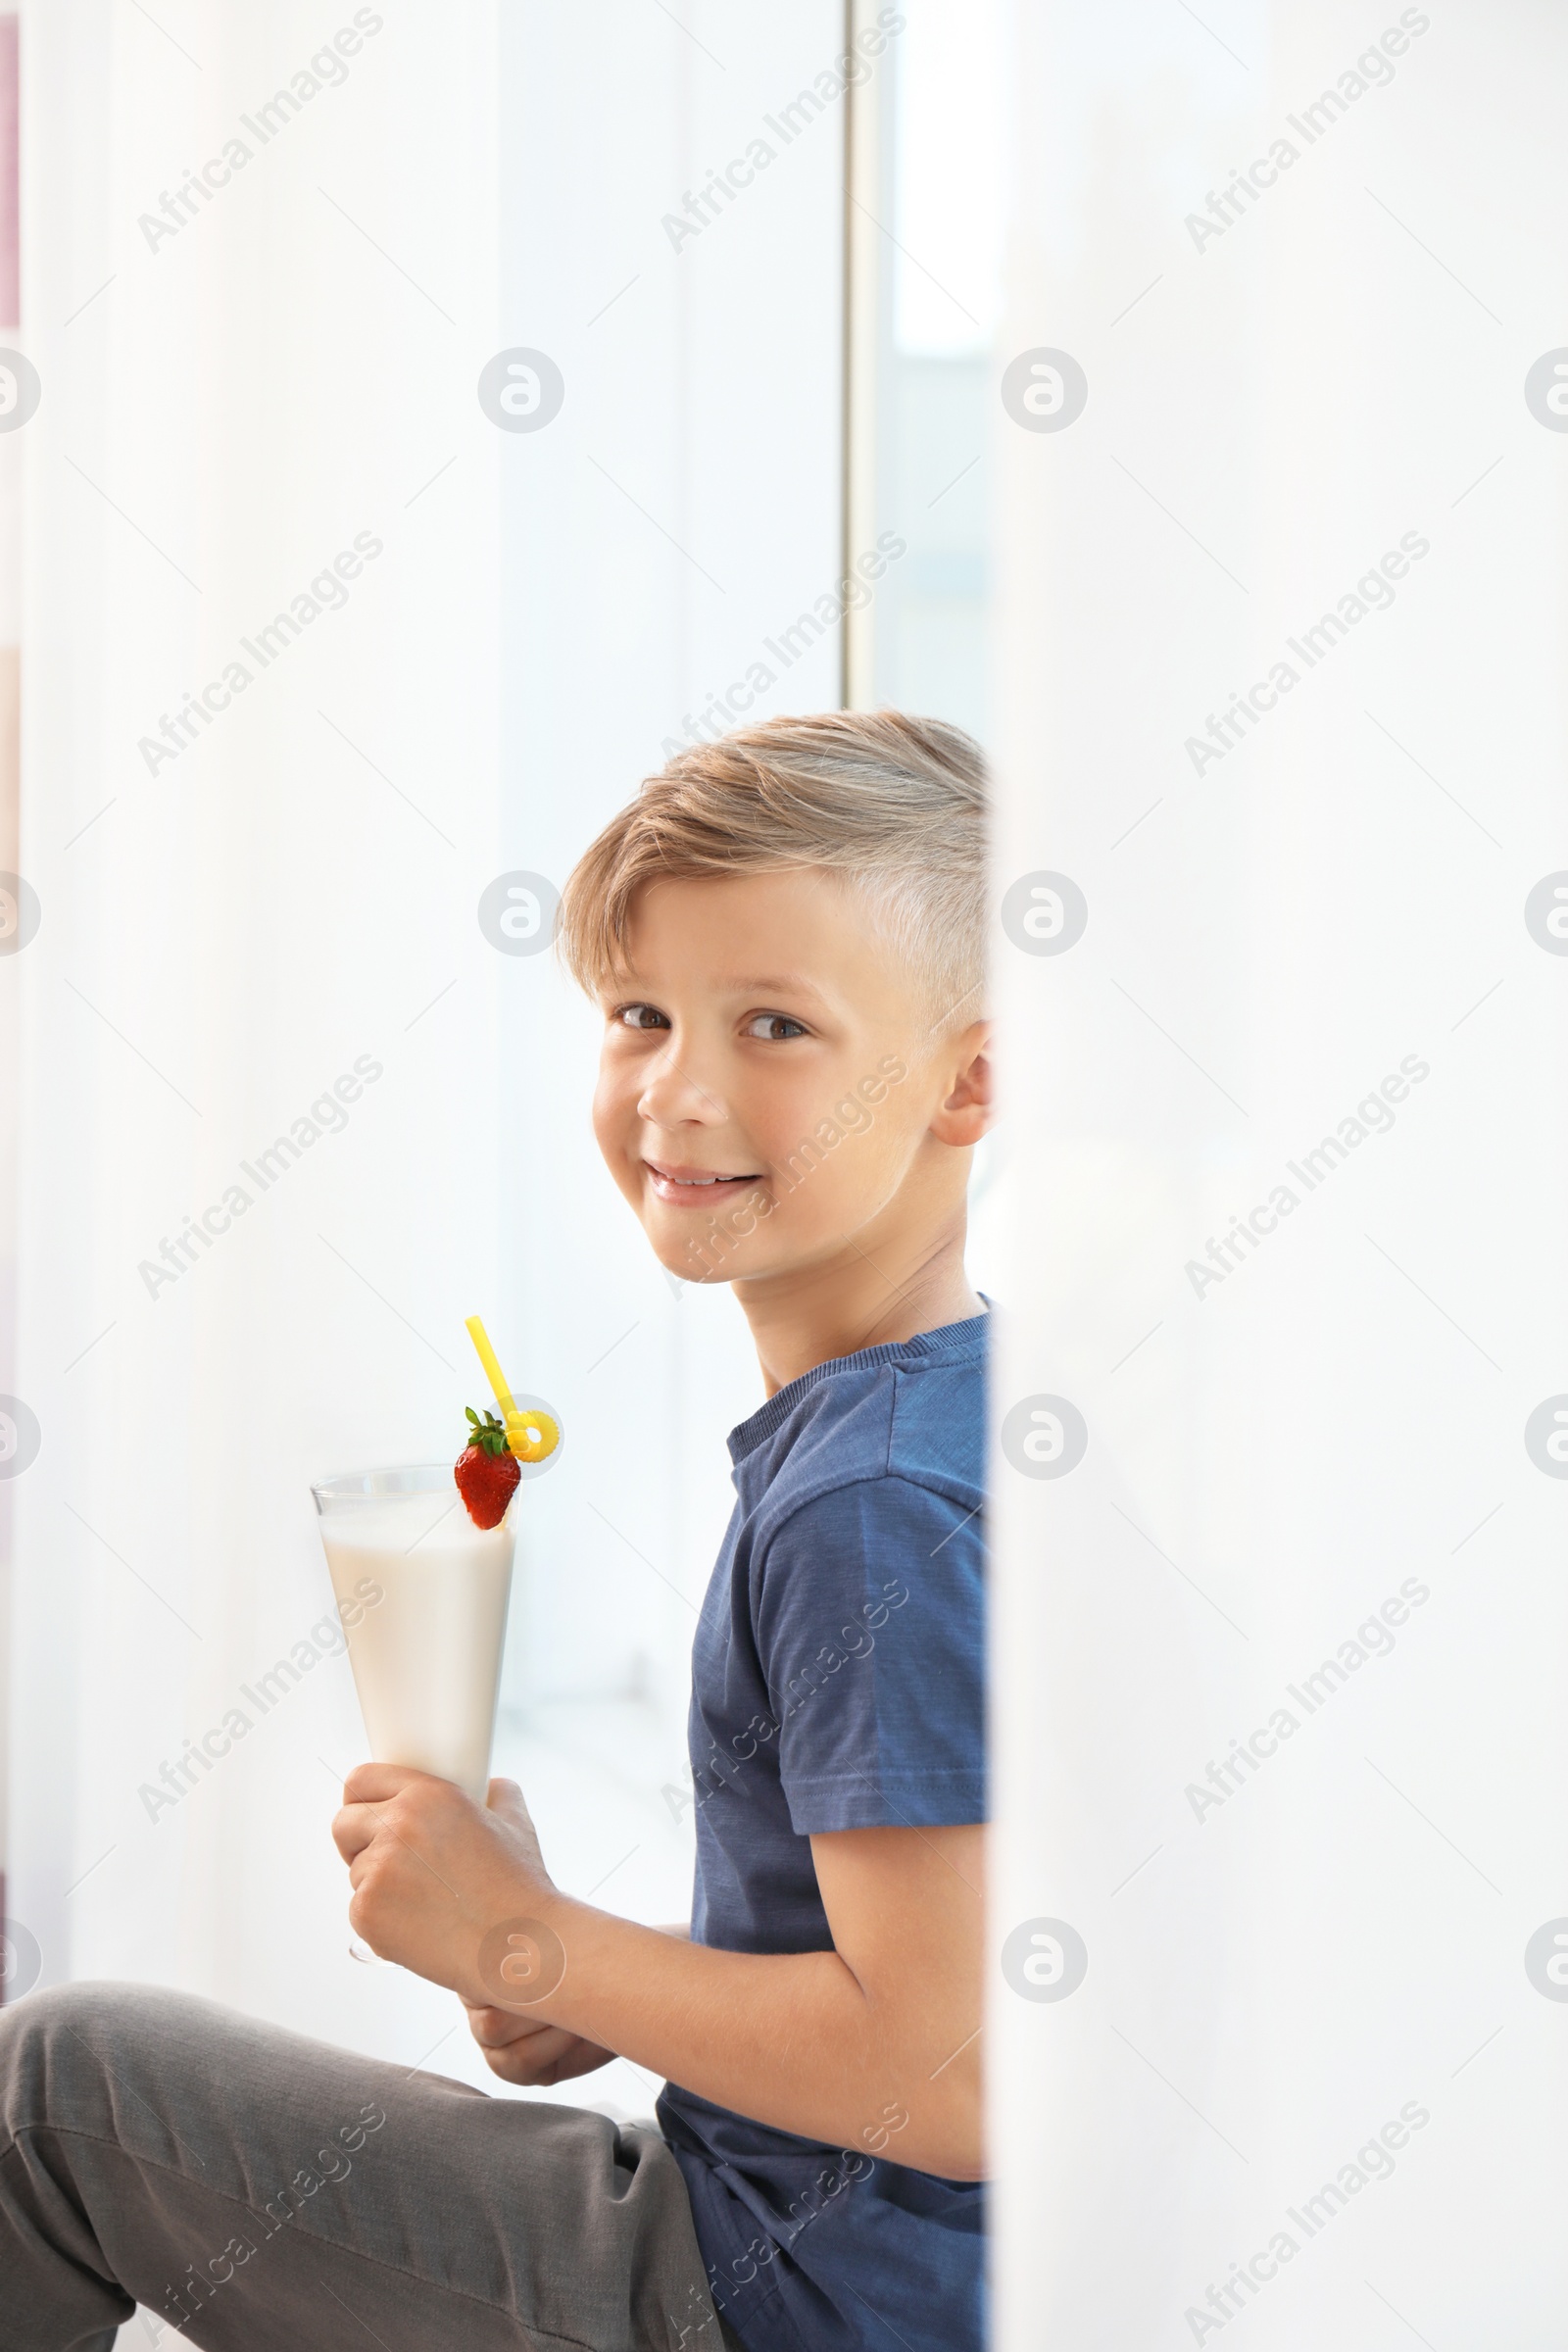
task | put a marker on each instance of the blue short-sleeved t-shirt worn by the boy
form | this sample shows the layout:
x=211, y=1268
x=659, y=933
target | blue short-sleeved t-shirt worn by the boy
x=838, y=1683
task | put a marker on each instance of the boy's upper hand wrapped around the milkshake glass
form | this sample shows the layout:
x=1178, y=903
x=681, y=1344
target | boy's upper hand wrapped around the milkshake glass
x=434, y=1871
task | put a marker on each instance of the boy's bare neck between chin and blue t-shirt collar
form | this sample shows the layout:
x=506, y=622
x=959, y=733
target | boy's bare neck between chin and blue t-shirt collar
x=876, y=1290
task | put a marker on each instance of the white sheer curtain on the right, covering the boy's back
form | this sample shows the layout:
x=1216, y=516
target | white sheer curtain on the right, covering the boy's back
x=1273, y=2010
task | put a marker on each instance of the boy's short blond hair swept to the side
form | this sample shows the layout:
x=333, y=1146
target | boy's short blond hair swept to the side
x=885, y=801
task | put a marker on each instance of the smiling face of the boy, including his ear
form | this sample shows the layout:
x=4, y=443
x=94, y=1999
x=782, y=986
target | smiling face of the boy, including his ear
x=770, y=1083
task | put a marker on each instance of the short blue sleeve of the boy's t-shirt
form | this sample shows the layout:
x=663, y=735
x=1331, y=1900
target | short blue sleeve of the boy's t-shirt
x=871, y=1629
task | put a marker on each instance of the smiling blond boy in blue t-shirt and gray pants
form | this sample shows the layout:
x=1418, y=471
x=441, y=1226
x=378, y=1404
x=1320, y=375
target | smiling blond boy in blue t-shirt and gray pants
x=786, y=935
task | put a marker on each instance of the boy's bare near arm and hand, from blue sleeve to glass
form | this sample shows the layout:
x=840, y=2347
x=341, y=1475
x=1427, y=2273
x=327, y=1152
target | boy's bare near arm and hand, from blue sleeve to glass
x=871, y=2047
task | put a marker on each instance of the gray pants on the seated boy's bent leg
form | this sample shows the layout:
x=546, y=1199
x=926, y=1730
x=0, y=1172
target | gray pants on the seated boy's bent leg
x=262, y=2191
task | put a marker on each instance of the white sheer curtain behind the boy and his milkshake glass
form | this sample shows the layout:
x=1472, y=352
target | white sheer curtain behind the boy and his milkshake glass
x=267, y=380
